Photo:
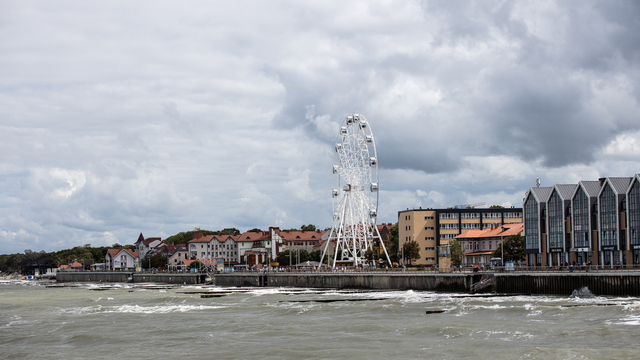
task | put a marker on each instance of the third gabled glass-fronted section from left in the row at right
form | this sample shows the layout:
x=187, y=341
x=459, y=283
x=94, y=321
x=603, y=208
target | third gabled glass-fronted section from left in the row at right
x=584, y=222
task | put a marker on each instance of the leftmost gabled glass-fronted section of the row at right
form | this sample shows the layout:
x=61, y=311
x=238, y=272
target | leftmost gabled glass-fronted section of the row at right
x=534, y=213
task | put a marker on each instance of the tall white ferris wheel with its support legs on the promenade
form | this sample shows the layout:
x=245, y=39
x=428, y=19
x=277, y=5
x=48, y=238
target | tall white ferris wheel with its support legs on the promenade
x=354, y=193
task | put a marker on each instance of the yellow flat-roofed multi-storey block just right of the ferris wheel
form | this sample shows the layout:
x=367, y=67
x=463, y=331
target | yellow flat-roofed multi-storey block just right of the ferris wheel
x=431, y=228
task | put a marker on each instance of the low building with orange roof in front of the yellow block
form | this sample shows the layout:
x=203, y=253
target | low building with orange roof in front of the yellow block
x=478, y=245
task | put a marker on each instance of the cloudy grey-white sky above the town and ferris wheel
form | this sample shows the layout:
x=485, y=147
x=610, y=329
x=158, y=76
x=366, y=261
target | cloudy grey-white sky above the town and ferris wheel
x=119, y=118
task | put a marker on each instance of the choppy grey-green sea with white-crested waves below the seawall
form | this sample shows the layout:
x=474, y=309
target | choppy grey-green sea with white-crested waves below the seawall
x=128, y=322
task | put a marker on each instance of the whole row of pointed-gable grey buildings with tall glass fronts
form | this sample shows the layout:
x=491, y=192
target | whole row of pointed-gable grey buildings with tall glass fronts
x=583, y=223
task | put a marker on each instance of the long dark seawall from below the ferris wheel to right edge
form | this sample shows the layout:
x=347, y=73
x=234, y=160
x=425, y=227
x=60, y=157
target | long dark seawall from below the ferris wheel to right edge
x=617, y=284
